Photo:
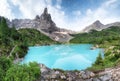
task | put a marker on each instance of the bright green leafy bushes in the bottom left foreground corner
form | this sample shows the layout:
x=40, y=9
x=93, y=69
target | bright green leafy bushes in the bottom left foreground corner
x=18, y=72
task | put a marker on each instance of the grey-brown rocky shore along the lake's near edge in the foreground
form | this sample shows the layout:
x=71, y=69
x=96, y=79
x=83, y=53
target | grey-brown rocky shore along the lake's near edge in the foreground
x=109, y=74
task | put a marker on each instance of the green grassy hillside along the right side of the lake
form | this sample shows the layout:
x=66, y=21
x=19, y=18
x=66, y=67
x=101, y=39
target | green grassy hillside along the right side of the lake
x=108, y=39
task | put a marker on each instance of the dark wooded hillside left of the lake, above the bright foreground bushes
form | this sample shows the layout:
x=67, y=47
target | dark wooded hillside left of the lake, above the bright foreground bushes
x=14, y=41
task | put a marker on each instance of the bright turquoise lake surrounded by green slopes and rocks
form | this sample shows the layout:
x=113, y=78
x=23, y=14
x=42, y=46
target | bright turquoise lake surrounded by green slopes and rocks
x=66, y=57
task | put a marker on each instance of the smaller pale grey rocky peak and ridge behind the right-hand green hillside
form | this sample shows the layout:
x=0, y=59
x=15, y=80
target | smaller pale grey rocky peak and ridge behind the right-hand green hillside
x=97, y=25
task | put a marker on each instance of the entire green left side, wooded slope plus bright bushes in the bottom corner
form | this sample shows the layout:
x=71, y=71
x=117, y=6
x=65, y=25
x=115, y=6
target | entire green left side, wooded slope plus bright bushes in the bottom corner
x=14, y=44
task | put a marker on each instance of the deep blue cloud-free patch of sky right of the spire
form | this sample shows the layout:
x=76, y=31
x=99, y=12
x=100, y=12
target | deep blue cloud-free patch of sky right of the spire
x=82, y=5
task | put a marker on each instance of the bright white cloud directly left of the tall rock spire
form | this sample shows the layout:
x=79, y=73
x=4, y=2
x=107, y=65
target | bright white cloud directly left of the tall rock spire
x=29, y=8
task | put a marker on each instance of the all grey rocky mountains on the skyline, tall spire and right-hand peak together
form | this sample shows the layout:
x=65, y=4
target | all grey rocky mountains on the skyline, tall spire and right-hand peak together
x=46, y=25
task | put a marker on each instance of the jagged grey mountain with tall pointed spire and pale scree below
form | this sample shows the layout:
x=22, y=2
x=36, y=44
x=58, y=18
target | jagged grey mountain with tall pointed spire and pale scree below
x=45, y=25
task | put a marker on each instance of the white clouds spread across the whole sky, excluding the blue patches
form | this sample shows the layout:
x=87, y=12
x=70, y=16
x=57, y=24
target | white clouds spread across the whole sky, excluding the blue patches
x=31, y=8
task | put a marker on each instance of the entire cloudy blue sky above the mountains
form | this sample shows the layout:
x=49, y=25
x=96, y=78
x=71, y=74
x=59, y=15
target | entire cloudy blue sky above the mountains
x=70, y=14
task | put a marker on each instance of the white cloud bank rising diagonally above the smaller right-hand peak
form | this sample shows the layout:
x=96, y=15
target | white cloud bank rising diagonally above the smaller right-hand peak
x=104, y=13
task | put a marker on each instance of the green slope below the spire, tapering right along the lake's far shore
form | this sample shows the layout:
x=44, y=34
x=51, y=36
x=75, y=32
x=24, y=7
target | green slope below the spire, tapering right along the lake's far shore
x=34, y=37
